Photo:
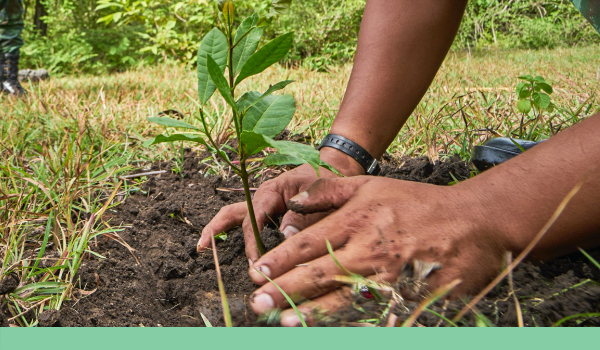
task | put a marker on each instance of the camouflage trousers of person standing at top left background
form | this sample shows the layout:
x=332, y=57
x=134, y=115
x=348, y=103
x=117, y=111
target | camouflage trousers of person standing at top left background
x=11, y=25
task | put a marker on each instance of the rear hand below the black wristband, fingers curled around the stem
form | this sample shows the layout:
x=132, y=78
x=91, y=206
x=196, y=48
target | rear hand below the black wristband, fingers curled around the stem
x=270, y=202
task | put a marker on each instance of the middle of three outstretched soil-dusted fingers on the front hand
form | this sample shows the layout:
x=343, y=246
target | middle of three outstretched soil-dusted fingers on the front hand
x=308, y=281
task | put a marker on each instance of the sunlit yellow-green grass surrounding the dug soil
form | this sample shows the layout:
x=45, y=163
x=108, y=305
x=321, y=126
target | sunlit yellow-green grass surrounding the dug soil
x=64, y=149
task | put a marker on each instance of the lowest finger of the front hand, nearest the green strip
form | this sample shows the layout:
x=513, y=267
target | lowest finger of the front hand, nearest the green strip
x=327, y=305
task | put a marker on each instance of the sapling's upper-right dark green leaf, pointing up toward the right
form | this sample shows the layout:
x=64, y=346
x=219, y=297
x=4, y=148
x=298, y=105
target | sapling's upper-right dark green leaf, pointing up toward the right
x=266, y=56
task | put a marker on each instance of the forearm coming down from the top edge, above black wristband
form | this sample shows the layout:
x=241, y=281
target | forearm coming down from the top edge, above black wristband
x=401, y=46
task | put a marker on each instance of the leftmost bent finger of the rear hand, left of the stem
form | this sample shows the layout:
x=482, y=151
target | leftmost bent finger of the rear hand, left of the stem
x=227, y=218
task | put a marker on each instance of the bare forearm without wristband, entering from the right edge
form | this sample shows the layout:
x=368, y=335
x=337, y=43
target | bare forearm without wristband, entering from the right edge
x=521, y=195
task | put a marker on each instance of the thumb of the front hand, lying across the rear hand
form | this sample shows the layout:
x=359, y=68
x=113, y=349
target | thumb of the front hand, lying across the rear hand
x=326, y=194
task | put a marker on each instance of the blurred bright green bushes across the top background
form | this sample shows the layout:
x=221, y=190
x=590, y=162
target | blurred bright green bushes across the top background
x=99, y=36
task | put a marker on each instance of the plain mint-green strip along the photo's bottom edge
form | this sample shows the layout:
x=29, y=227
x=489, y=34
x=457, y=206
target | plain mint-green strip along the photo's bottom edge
x=305, y=339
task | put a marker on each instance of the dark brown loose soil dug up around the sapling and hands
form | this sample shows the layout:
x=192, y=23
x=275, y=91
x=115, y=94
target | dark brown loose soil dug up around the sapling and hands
x=172, y=285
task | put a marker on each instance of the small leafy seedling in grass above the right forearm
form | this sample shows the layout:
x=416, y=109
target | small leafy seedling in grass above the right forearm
x=533, y=95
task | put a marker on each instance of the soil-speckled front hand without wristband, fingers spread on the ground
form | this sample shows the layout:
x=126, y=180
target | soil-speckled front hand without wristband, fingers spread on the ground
x=379, y=226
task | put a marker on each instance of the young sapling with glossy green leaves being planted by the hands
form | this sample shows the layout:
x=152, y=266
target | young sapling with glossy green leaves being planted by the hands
x=224, y=61
